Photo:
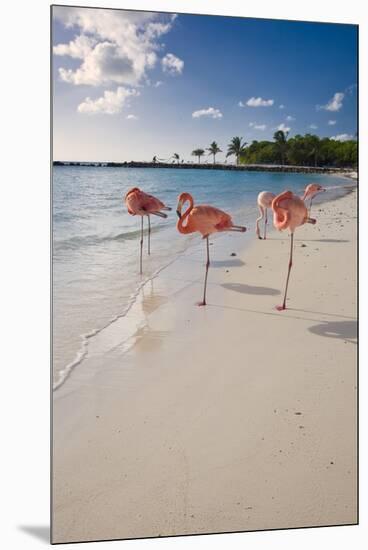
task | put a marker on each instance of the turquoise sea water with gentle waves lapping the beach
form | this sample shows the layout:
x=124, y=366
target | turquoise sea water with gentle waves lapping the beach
x=96, y=242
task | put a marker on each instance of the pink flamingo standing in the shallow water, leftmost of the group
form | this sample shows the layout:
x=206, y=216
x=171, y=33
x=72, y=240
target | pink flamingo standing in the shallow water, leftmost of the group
x=141, y=204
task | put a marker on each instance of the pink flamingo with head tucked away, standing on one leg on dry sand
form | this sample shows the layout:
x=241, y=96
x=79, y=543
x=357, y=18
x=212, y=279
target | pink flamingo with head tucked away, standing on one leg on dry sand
x=289, y=213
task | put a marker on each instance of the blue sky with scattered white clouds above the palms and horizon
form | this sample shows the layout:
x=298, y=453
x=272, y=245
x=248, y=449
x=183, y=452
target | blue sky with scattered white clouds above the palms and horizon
x=130, y=85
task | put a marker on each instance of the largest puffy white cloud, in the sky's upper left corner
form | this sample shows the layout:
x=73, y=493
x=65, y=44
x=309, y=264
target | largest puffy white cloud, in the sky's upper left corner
x=114, y=46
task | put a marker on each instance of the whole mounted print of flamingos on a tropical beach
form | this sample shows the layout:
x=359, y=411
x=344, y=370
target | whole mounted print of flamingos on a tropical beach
x=204, y=190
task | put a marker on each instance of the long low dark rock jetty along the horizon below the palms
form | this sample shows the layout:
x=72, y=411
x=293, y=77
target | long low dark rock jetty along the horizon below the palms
x=208, y=166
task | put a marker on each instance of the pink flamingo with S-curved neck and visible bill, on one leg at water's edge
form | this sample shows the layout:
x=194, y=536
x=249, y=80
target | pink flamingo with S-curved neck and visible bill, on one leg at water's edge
x=206, y=220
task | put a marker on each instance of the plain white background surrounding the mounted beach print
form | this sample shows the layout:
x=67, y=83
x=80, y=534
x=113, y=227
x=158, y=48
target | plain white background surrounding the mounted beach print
x=25, y=273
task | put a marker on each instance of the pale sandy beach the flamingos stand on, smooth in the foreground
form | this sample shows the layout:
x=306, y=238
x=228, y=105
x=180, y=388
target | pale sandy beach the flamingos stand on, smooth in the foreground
x=231, y=417
